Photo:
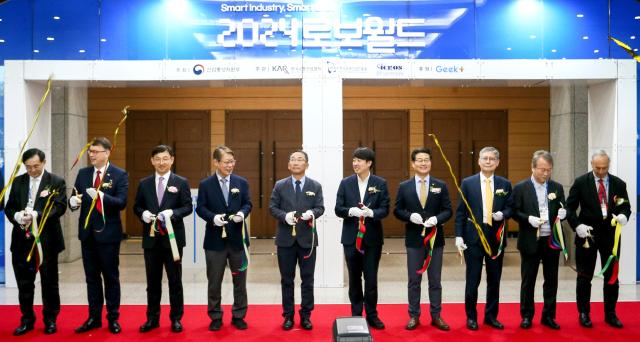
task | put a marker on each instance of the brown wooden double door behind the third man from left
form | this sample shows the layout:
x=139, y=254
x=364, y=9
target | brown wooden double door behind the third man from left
x=187, y=132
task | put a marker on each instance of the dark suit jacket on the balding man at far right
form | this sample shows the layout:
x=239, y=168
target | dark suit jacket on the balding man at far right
x=584, y=195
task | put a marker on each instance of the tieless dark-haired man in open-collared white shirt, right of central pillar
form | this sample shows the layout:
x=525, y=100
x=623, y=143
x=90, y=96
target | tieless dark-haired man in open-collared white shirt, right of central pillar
x=363, y=198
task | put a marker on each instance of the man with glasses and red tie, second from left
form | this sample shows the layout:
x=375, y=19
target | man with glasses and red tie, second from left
x=101, y=233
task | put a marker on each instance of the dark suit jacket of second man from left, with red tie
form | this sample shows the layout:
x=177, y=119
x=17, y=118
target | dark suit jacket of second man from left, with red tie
x=114, y=187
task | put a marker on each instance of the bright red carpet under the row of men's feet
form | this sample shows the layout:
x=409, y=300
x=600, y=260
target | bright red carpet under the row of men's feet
x=264, y=325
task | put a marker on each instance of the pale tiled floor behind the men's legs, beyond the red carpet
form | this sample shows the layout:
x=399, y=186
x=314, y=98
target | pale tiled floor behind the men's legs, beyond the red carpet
x=264, y=280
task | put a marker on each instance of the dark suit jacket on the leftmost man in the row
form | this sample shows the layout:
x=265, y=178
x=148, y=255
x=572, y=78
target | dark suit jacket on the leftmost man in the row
x=51, y=235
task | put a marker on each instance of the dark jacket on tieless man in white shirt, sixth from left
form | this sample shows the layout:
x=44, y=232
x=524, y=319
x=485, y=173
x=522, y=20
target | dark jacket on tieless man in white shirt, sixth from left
x=378, y=201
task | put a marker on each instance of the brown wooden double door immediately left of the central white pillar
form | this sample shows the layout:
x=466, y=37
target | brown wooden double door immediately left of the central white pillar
x=262, y=142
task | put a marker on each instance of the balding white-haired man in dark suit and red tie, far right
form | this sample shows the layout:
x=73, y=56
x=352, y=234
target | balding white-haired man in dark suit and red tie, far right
x=600, y=196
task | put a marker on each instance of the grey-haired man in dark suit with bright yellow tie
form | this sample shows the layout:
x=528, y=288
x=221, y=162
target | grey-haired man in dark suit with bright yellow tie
x=490, y=199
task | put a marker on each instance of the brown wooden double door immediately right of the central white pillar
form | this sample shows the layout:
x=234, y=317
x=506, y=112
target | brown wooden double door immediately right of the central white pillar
x=386, y=132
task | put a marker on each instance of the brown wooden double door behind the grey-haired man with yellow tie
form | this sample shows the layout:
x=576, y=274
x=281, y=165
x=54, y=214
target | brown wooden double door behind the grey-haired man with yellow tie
x=462, y=134
